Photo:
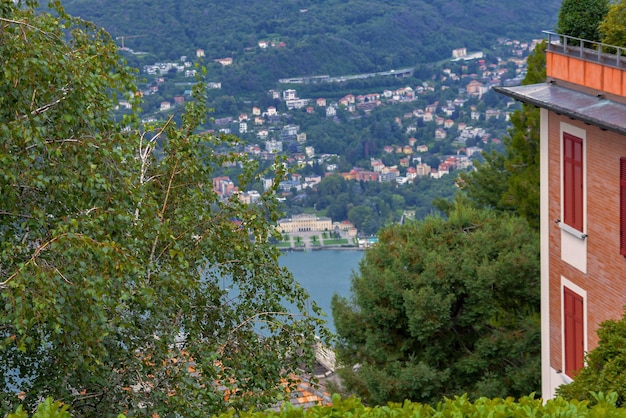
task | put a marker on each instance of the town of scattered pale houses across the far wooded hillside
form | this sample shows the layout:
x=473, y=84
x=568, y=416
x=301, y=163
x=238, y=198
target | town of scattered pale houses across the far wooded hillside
x=445, y=121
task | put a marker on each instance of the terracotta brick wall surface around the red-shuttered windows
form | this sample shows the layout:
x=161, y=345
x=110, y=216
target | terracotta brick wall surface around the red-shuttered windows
x=605, y=281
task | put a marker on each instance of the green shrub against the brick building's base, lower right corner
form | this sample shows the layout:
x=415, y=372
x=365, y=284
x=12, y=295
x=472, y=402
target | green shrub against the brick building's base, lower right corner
x=604, y=368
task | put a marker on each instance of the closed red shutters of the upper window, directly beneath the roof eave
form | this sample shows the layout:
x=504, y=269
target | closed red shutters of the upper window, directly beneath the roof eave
x=573, y=181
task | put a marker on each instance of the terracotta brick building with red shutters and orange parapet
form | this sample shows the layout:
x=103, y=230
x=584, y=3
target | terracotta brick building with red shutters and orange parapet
x=583, y=199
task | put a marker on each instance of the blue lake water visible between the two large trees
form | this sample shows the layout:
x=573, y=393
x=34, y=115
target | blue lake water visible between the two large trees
x=323, y=273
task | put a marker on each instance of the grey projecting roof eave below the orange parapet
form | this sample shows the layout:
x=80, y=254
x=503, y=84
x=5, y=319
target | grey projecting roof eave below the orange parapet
x=593, y=110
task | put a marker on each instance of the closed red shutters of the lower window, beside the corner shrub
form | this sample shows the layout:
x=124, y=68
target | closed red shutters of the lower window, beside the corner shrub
x=573, y=316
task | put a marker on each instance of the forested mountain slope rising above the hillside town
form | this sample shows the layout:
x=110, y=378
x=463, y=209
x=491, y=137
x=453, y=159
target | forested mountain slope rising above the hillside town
x=320, y=37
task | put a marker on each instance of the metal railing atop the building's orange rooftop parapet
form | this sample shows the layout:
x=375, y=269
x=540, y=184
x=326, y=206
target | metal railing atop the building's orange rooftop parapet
x=587, y=50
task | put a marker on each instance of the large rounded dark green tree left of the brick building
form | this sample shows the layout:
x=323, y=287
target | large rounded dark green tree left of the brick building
x=443, y=307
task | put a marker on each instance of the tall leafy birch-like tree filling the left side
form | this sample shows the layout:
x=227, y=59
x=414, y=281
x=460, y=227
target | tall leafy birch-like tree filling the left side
x=125, y=283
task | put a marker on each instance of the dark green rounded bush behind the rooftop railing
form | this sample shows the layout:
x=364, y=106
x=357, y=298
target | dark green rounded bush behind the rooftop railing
x=580, y=18
